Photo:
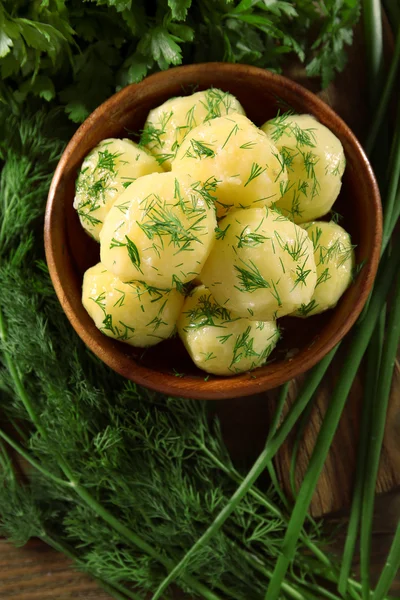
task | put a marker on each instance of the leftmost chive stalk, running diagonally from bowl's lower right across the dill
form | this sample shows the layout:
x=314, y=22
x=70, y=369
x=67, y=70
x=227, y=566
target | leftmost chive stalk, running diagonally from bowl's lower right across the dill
x=258, y=467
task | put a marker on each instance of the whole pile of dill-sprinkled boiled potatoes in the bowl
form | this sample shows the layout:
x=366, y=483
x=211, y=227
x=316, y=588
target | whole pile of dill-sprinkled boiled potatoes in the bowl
x=208, y=228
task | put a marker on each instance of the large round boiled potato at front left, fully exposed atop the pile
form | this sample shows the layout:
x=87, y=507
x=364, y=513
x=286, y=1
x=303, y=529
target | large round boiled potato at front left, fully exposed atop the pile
x=159, y=231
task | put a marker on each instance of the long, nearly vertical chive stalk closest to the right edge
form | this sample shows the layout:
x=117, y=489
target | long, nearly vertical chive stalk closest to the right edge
x=377, y=429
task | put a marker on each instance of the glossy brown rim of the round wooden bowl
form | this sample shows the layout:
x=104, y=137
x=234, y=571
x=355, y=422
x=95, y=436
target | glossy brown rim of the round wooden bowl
x=216, y=387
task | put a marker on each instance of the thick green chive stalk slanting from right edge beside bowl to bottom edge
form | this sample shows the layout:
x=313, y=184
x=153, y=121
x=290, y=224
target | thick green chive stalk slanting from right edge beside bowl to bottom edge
x=358, y=346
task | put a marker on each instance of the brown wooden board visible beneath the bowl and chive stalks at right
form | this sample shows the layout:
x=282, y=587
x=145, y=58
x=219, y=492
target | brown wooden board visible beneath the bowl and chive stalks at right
x=245, y=421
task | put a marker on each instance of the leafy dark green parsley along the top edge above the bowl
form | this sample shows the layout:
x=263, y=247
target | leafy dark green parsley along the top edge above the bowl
x=102, y=45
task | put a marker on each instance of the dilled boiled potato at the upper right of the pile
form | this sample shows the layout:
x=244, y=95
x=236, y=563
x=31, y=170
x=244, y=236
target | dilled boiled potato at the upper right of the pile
x=315, y=163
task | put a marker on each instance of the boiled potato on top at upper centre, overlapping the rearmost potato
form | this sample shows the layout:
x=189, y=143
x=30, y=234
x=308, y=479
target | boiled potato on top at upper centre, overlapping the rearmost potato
x=235, y=161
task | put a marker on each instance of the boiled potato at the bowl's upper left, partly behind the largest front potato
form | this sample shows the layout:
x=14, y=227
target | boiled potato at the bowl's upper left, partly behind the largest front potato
x=106, y=172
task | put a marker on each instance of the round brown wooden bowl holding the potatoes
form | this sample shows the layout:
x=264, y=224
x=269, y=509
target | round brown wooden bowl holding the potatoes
x=167, y=367
